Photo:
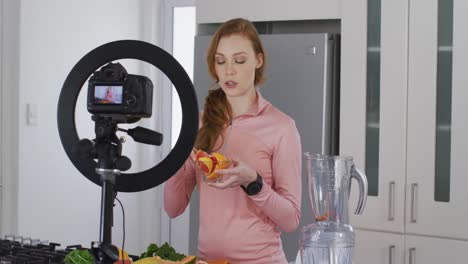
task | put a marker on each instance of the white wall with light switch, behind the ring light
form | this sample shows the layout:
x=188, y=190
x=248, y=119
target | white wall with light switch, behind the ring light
x=55, y=202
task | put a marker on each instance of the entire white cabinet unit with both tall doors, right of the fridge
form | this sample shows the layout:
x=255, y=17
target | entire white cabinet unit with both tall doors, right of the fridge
x=403, y=119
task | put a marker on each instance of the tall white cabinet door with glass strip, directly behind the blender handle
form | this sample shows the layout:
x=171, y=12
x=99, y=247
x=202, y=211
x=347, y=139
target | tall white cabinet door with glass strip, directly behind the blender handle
x=373, y=106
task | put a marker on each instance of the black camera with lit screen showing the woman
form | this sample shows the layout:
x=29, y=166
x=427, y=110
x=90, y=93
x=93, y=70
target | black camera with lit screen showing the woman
x=115, y=93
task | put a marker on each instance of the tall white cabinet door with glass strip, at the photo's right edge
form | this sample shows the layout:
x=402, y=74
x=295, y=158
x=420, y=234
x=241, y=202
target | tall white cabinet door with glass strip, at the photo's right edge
x=437, y=146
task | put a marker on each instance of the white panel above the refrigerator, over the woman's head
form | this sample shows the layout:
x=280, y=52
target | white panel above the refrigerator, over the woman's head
x=217, y=11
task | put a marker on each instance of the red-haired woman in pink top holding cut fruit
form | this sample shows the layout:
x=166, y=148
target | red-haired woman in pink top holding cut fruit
x=241, y=217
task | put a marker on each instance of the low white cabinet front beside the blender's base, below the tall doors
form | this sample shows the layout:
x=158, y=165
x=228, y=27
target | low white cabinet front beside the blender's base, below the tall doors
x=378, y=247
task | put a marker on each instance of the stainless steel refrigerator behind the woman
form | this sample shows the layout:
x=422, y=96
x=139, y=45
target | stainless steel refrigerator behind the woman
x=302, y=80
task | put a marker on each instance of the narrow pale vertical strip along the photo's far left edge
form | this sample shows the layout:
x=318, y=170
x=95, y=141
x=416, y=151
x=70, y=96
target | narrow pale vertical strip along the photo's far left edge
x=9, y=109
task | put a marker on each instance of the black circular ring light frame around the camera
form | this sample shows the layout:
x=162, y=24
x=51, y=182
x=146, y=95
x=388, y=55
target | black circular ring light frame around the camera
x=130, y=49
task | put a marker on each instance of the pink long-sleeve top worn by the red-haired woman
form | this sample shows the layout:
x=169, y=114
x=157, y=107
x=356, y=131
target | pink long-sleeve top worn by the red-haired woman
x=234, y=226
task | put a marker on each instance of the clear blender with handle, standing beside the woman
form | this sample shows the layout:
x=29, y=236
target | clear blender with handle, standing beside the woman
x=330, y=240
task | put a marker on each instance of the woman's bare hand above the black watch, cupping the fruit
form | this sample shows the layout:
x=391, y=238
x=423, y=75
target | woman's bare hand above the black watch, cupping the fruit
x=239, y=174
